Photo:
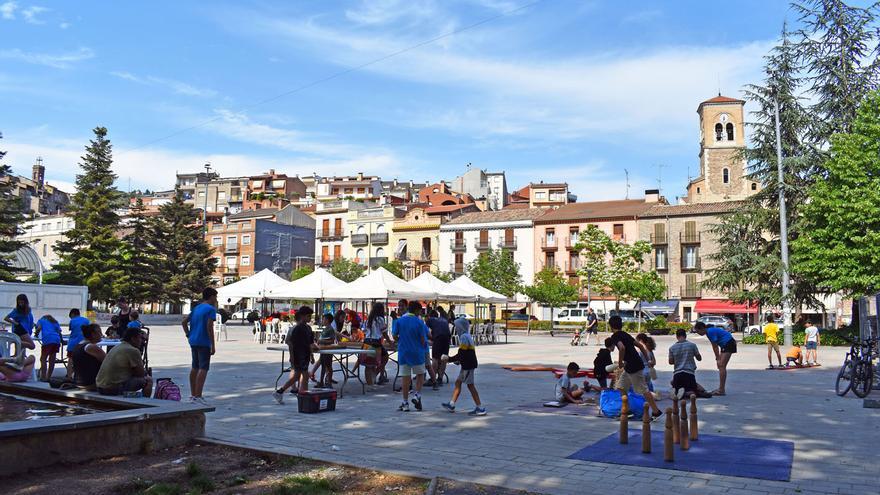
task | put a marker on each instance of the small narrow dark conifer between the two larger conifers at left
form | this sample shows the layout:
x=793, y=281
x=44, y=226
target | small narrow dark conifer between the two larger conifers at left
x=140, y=281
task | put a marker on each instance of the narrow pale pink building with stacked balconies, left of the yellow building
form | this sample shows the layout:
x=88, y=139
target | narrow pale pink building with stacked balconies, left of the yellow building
x=331, y=229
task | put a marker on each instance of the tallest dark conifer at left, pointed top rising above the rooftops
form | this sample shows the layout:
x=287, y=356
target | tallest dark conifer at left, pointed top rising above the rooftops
x=90, y=255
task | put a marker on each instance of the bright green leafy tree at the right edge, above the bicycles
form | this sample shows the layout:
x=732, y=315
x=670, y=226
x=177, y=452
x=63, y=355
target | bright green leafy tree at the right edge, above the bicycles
x=838, y=247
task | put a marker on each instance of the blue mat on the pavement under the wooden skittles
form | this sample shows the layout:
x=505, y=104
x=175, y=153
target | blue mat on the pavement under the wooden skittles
x=711, y=454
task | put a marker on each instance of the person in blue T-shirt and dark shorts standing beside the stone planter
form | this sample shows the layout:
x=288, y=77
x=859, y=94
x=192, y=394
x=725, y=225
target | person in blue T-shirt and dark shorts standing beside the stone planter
x=199, y=329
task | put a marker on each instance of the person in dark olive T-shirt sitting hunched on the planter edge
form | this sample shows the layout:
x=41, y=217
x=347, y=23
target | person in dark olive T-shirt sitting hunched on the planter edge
x=122, y=370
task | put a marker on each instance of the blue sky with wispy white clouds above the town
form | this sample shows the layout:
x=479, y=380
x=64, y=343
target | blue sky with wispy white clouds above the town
x=561, y=90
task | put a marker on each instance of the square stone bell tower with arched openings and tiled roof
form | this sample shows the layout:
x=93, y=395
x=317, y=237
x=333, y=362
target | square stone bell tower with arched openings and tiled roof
x=722, y=165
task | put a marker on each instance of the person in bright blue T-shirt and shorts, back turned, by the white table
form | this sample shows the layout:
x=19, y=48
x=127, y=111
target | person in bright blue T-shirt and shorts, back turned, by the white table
x=411, y=334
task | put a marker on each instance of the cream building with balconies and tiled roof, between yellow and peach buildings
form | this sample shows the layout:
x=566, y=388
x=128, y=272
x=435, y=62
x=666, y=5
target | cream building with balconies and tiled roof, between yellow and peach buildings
x=464, y=238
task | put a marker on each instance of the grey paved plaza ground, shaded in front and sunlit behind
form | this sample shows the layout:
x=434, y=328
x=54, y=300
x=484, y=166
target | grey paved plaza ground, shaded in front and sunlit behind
x=836, y=439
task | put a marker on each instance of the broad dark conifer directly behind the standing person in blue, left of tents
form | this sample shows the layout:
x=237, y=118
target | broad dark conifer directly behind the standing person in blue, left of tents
x=187, y=259
